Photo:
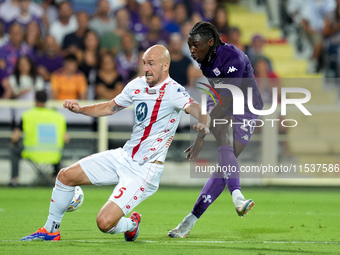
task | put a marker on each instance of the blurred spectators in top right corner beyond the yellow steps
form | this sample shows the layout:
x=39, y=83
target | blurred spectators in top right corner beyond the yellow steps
x=315, y=26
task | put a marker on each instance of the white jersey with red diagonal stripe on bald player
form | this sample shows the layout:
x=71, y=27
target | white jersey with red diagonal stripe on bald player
x=157, y=112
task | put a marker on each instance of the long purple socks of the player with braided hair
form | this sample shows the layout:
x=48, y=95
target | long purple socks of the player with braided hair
x=229, y=175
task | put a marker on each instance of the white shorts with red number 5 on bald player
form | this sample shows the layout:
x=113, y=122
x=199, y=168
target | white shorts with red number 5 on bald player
x=135, y=182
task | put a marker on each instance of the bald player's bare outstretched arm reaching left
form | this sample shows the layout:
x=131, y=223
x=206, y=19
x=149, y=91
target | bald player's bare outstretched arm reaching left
x=93, y=110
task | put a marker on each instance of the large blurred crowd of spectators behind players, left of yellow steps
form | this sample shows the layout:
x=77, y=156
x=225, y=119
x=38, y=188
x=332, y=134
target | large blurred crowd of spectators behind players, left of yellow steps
x=91, y=49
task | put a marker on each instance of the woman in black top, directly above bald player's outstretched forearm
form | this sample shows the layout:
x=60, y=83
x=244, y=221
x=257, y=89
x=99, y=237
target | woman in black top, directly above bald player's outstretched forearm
x=109, y=83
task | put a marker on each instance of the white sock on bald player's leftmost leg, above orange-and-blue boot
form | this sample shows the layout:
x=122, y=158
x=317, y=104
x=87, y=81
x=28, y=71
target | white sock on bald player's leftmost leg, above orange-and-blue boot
x=61, y=198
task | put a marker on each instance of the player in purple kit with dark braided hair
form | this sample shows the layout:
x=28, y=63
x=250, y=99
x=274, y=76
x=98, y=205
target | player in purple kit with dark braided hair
x=219, y=60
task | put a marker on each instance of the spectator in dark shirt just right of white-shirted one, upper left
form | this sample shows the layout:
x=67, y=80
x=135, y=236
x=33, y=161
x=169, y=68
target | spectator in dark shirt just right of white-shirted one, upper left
x=74, y=42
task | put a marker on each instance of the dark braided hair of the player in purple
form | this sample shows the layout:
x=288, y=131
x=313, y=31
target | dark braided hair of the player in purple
x=207, y=31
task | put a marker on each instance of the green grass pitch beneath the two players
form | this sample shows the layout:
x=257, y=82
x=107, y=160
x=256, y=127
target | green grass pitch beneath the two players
x=284, y=221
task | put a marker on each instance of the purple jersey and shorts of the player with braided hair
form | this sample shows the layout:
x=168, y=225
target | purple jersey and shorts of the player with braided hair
x=231, y=66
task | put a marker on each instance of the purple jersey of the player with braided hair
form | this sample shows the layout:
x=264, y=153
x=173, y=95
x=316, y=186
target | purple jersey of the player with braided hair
x=231, y=65
